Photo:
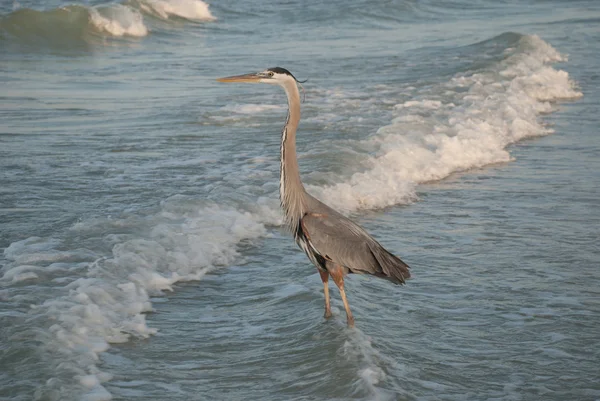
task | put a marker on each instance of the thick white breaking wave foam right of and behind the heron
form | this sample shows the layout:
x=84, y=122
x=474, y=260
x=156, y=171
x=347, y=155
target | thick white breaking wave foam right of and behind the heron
x=465, y=123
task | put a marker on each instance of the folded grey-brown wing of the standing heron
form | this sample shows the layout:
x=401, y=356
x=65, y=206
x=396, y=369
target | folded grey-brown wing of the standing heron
x=341, y=241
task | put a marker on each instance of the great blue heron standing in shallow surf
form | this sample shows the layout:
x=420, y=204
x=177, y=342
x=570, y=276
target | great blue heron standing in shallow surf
x=333, y=243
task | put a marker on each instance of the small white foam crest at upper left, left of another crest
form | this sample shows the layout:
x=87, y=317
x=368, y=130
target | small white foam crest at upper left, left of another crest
x=118, y=20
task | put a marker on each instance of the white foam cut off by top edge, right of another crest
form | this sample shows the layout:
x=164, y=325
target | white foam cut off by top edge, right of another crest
x=188, y=9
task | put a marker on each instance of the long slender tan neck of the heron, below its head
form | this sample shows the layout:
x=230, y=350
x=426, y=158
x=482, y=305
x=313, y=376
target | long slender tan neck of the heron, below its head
x=291, y=191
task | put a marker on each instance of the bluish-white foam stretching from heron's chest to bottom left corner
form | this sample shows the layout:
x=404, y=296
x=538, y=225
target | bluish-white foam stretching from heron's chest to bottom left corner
x=107, y=304
